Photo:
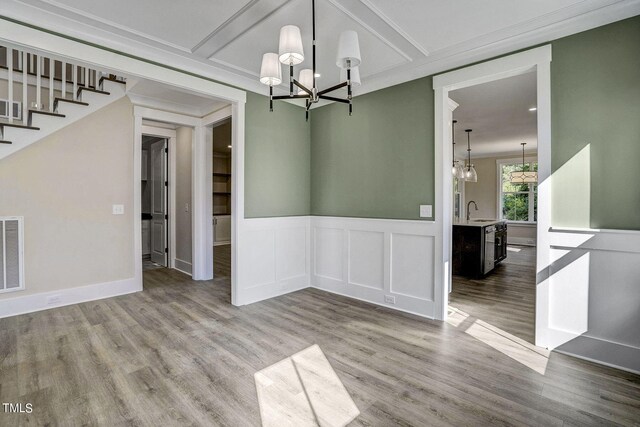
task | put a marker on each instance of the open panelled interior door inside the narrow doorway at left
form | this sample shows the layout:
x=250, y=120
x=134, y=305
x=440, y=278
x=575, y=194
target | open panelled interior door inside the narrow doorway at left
x=159, y=209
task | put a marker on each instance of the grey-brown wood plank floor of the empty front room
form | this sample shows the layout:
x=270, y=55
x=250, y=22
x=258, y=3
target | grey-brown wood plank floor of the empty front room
x=180, y=354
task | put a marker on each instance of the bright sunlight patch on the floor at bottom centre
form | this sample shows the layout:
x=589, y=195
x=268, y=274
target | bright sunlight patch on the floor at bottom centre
x=303, y=390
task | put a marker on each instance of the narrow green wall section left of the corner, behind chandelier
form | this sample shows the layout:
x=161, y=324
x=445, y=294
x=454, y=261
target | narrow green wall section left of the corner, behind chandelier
x=277, y=155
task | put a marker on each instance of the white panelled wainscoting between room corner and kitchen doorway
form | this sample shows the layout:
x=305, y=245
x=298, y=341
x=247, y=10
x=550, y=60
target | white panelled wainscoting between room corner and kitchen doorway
x=369, y=259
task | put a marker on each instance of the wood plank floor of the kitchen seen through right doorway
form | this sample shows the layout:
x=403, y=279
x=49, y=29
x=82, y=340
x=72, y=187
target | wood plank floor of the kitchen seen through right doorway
x=506, y=297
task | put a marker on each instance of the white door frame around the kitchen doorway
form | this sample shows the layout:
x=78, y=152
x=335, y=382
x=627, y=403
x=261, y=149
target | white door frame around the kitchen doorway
x=536, y=60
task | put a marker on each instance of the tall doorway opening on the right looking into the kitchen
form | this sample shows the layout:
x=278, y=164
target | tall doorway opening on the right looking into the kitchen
x=493, y=253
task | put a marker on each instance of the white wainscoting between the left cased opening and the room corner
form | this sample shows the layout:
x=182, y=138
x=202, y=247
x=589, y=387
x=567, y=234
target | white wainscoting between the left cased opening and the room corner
x=274, y=257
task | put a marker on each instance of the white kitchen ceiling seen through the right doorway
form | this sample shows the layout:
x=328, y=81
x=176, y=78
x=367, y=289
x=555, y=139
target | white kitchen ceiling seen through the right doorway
x=498, y=114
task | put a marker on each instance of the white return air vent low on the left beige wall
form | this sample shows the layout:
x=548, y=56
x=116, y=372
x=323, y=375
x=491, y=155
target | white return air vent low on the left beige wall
x=11, y=254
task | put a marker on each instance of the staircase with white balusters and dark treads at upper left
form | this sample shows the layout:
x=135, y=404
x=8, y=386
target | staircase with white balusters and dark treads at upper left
x=47, y=95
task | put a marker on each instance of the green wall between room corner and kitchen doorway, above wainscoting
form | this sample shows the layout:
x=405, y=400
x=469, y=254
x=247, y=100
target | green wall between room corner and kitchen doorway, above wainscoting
x=377, y=163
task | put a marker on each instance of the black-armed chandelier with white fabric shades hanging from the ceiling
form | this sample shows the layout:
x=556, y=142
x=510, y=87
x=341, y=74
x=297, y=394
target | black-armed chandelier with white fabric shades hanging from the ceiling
x=290, y=52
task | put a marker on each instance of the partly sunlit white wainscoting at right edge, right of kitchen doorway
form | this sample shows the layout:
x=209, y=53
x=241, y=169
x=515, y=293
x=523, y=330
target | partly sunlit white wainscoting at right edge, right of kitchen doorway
x=595, y=294
